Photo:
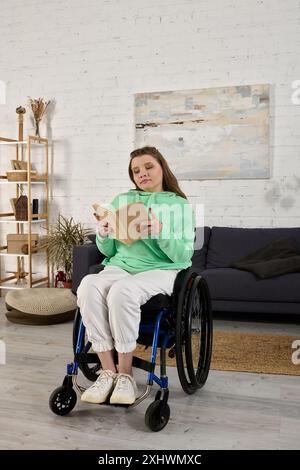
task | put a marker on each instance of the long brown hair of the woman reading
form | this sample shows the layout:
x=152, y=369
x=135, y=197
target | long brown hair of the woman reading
x=170, y=182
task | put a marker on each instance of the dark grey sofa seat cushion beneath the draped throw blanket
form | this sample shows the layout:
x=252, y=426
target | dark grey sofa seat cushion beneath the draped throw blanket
x=233, y=284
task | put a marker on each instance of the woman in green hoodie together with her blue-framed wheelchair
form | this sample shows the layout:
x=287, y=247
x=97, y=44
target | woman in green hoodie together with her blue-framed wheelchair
x=157, y=265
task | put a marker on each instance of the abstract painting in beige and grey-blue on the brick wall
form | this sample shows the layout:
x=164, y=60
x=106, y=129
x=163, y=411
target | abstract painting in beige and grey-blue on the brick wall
x=210, y=133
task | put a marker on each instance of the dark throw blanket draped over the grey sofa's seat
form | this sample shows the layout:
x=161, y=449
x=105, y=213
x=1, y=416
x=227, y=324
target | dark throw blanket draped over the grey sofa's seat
x=277, y=258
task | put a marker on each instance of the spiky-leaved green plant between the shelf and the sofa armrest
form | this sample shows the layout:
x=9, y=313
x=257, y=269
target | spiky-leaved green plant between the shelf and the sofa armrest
x=63, y=235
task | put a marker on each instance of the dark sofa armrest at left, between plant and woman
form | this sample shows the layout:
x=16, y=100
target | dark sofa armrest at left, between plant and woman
x=84, y=256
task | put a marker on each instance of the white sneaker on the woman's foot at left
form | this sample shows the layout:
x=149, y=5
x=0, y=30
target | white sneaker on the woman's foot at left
x=101, y=389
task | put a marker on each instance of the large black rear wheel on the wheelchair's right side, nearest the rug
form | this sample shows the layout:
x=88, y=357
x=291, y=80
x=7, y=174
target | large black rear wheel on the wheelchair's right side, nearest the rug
x=193, y=334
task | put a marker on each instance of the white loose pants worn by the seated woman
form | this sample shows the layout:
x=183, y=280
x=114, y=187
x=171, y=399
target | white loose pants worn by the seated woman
x=110, y=303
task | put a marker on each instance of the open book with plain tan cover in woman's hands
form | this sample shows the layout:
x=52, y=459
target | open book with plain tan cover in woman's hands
x=124, y=221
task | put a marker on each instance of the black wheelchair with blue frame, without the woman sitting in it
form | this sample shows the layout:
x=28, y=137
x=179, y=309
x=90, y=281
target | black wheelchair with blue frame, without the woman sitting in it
x=180, y=323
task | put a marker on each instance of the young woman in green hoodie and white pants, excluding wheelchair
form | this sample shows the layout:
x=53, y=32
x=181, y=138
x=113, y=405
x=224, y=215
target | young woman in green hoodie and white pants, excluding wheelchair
x=110, y=301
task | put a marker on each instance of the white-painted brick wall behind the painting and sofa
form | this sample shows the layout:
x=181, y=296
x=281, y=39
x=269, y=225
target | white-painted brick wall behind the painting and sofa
x=93, y=56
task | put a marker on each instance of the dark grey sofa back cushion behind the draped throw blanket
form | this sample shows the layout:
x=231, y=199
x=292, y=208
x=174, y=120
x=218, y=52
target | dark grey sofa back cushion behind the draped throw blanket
x=227, y=245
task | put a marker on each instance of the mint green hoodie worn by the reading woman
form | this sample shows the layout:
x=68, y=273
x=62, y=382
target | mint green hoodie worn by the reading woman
x=171, y=249
